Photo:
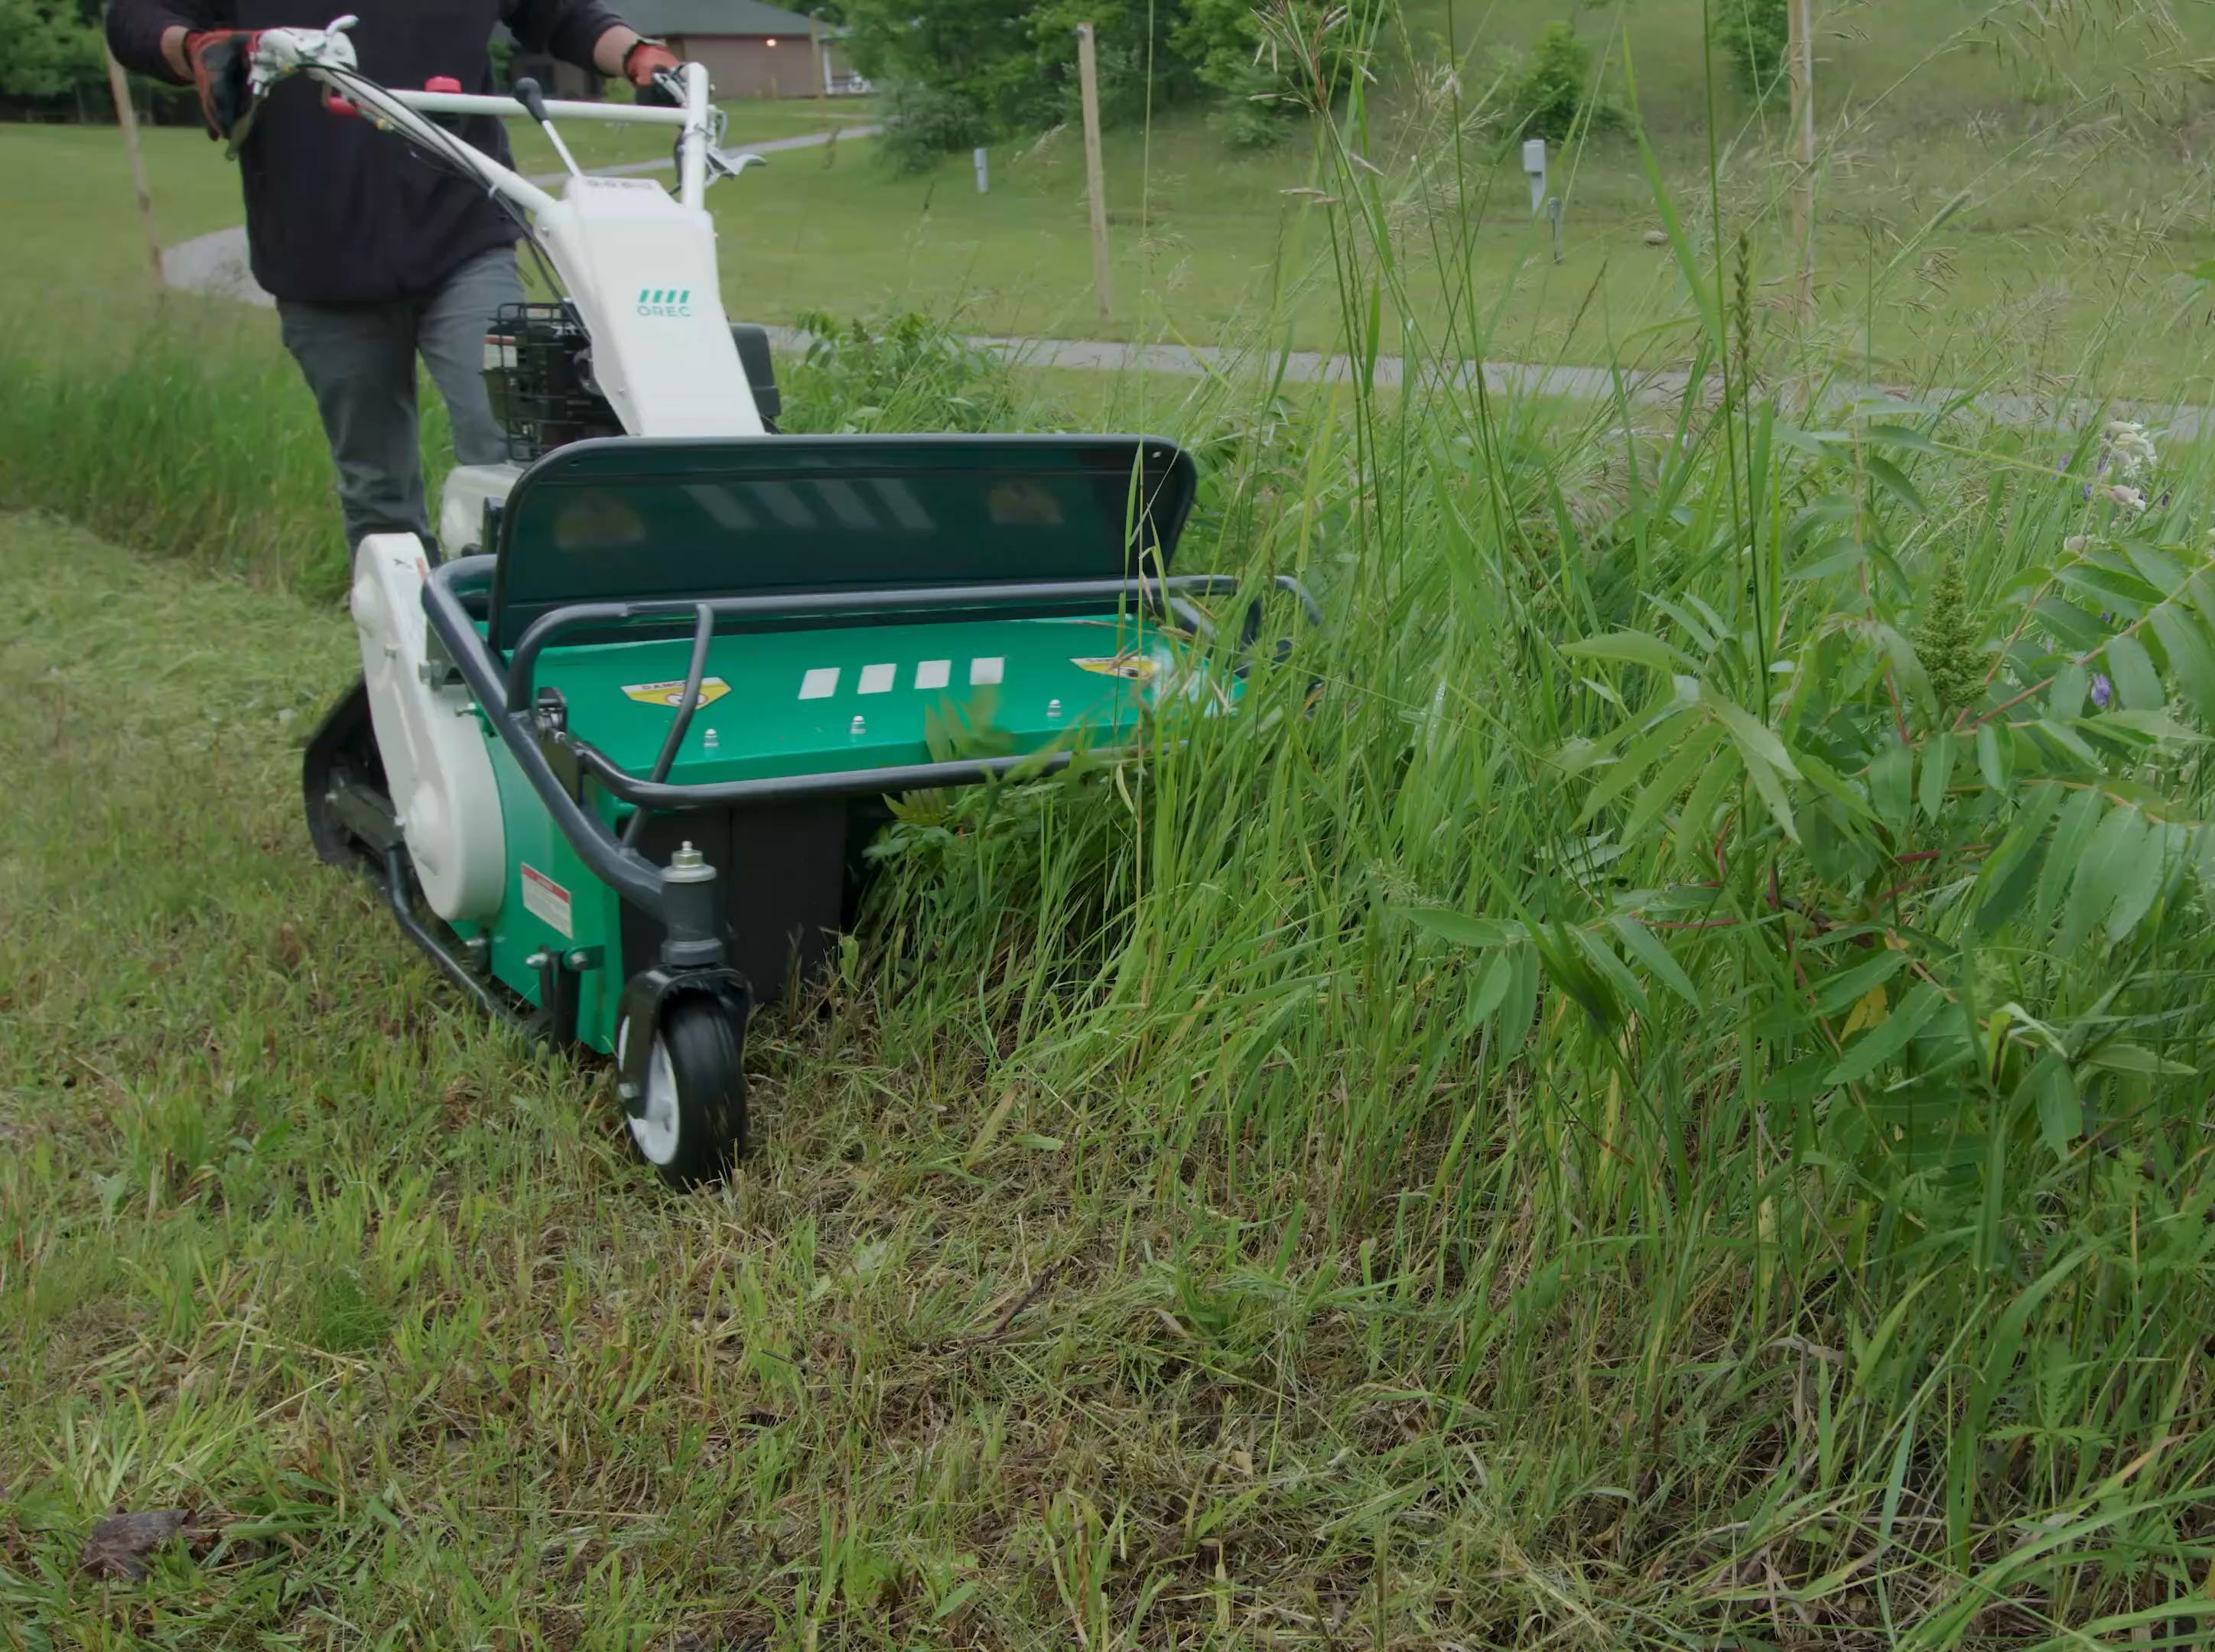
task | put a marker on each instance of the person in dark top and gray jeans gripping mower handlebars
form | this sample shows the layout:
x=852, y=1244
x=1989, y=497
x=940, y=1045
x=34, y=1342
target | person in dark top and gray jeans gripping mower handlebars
x=373, y=254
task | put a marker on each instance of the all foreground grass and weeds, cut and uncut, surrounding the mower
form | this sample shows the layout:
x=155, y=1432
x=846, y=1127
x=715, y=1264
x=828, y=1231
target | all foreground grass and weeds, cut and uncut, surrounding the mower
x=1647, y=1093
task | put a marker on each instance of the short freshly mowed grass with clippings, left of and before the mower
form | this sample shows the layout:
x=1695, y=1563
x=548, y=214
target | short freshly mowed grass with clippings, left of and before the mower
x=293, y=1241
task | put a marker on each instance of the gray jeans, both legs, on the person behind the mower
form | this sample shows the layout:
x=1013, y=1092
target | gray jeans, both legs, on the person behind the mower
x=362, y=366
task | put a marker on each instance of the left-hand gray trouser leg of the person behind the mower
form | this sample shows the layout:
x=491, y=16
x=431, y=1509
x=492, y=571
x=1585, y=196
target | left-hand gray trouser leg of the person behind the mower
x=360, y=364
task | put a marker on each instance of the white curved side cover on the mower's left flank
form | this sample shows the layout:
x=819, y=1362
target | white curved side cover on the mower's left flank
x=433, y=747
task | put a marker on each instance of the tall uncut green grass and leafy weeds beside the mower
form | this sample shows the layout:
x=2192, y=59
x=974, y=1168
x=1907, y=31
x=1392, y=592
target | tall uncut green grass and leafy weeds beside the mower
x=1653, y=1080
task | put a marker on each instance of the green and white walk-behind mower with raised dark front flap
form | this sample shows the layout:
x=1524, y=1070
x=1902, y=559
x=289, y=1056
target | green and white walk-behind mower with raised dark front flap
x=628, y=727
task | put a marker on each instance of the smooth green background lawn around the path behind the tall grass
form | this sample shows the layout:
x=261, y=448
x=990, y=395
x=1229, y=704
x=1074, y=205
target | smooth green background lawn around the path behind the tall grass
x=1995, y=207
